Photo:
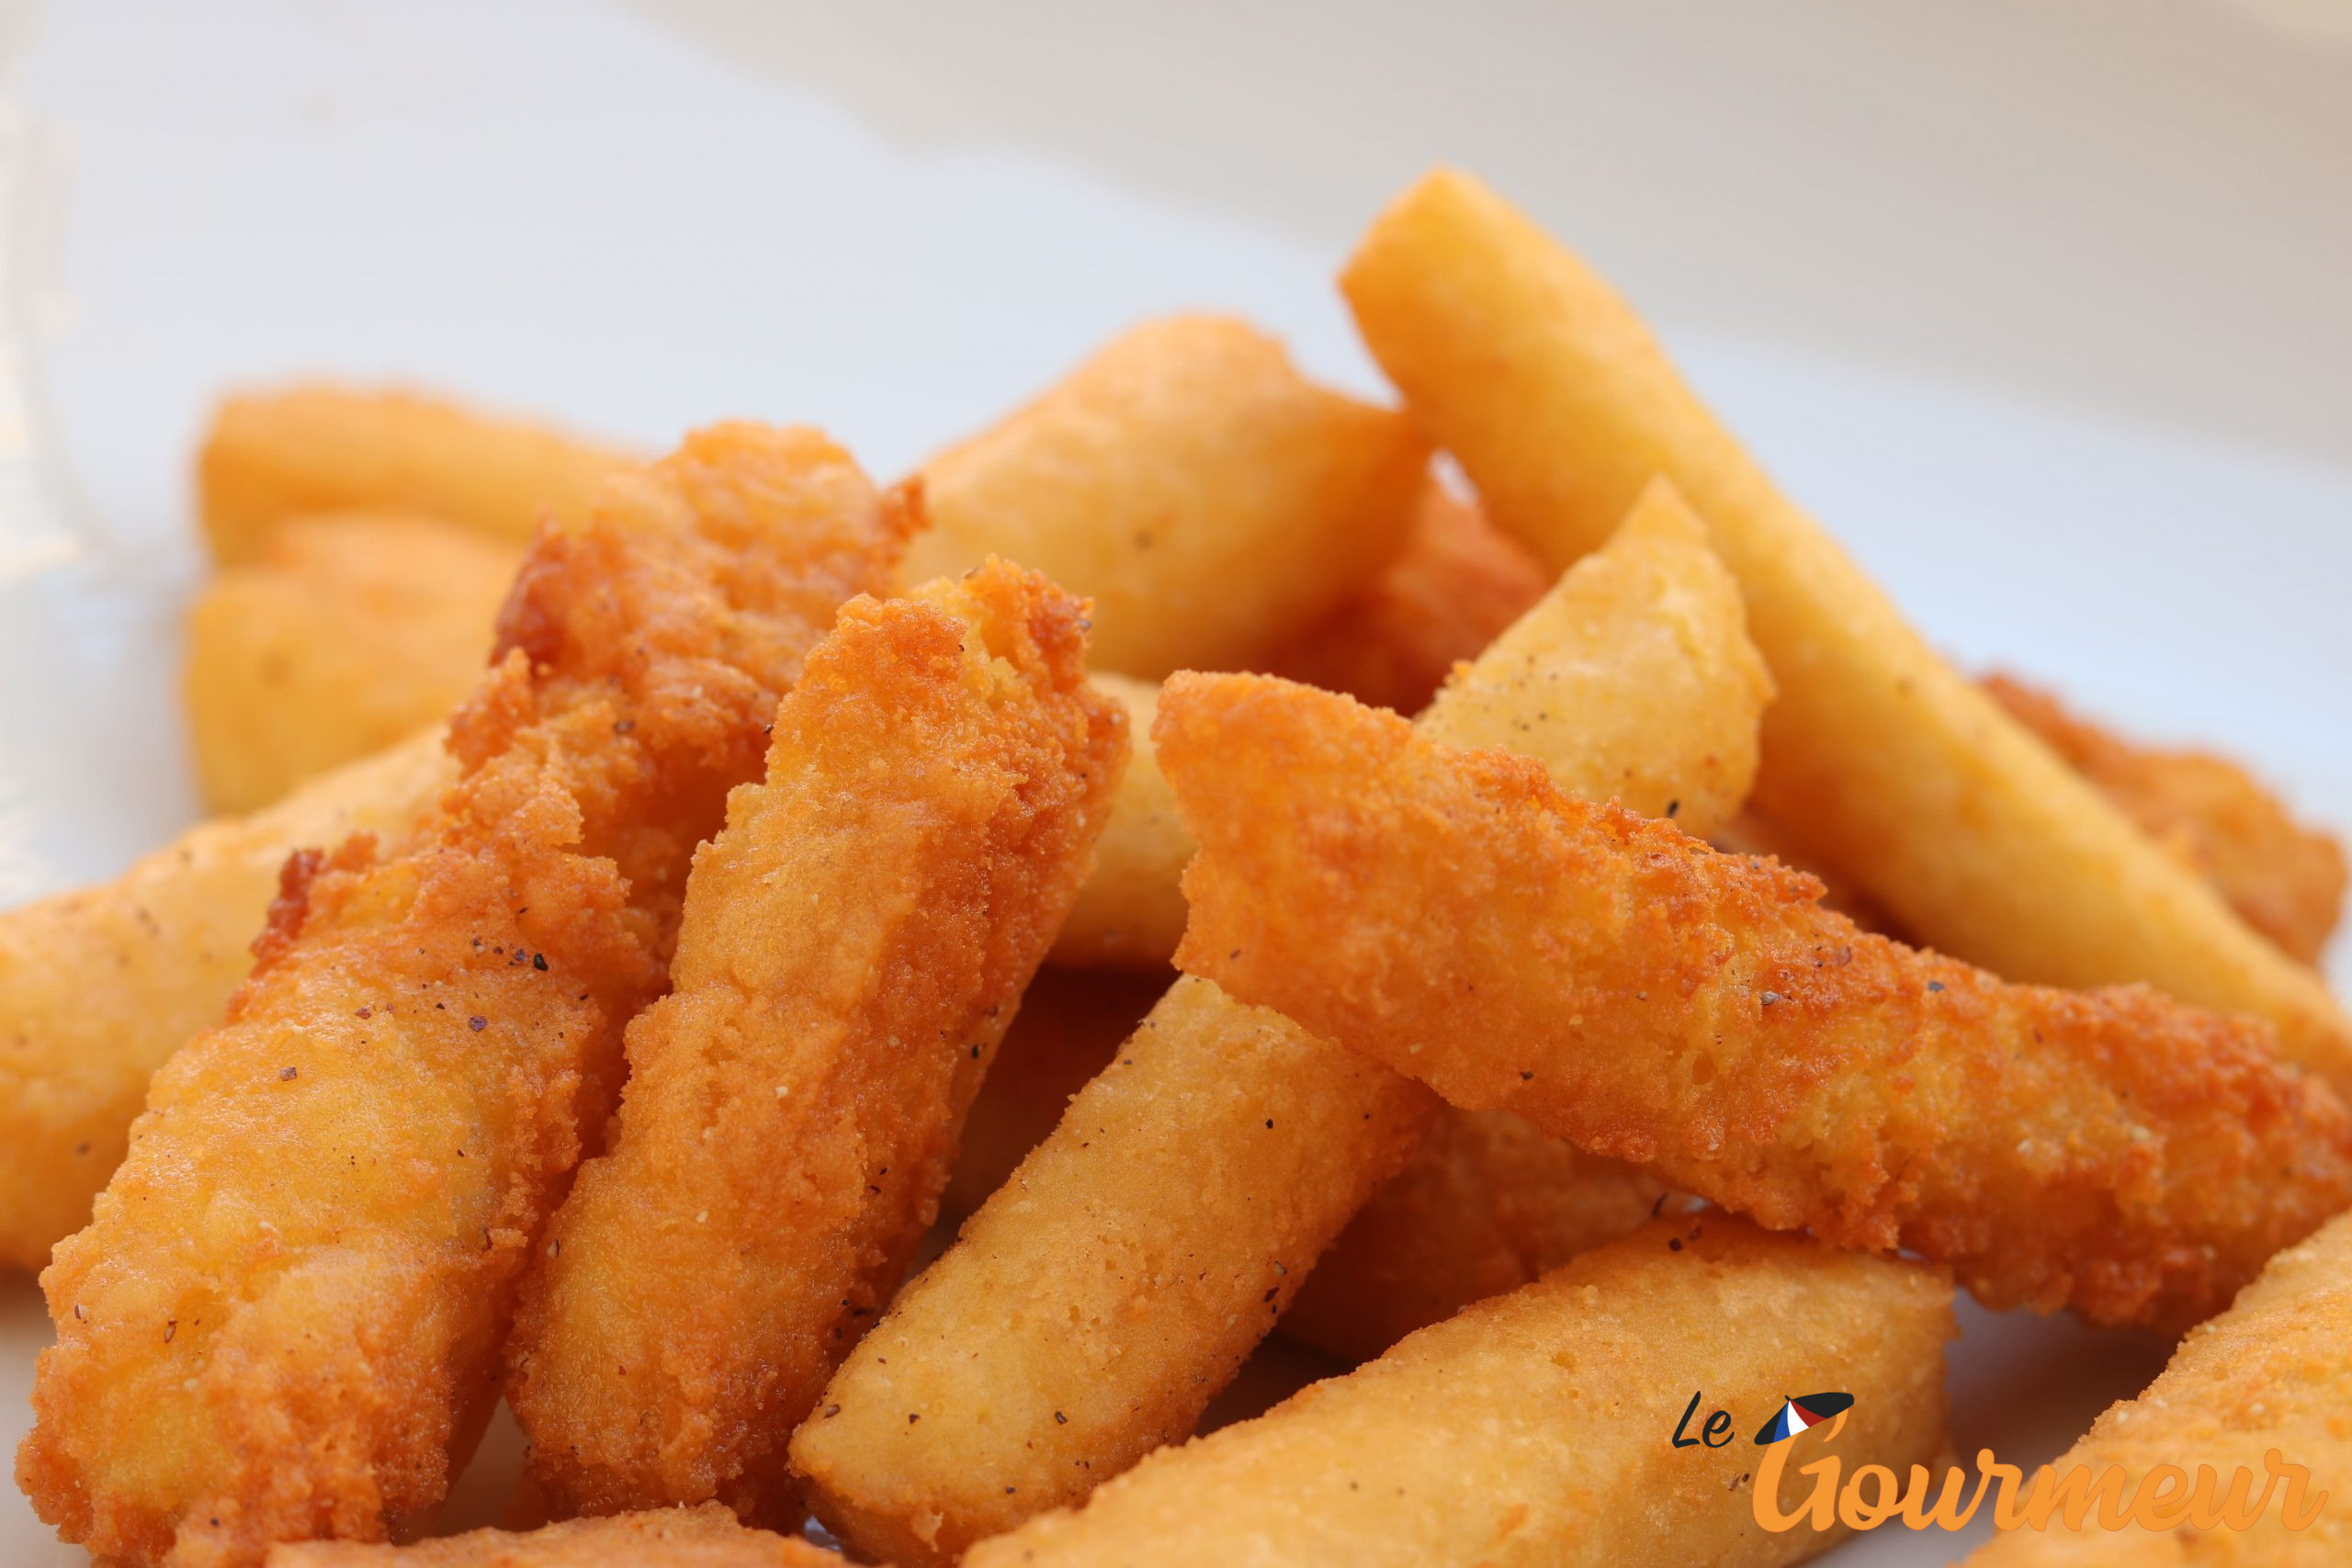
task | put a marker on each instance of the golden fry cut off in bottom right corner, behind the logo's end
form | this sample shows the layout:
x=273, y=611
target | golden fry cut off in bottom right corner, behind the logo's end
x=2269, y=1379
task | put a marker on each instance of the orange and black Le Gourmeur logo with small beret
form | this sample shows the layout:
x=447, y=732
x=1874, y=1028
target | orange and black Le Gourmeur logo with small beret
x=2165, y=1499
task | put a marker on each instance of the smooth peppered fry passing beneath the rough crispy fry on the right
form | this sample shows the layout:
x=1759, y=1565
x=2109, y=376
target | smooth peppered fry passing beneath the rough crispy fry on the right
x=1111, y=1289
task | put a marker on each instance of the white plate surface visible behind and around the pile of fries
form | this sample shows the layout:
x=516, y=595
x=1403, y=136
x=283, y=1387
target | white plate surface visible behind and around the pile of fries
x=587, y=213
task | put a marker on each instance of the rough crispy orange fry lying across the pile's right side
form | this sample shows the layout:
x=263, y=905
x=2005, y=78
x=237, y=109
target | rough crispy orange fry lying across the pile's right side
x=1624, y=986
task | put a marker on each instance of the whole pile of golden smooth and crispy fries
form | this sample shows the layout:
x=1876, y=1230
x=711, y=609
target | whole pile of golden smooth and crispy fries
x=1563, y=953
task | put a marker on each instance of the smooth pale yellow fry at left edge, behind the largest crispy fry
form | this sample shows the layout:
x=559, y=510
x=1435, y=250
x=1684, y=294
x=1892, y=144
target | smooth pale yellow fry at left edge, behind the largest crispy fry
x=102, y=986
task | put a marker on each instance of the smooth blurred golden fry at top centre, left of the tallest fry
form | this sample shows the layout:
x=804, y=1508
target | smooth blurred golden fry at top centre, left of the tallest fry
x=1194, y=483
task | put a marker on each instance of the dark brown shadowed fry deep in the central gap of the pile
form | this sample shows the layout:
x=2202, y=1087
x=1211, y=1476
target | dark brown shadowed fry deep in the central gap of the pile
x=1071, y=1026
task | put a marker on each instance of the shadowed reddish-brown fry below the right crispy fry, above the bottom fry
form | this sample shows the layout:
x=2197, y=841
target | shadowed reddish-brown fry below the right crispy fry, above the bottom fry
x=1483, y=1207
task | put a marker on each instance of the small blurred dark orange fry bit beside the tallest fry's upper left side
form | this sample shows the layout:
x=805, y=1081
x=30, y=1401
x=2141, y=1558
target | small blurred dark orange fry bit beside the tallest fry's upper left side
x=1448, y=596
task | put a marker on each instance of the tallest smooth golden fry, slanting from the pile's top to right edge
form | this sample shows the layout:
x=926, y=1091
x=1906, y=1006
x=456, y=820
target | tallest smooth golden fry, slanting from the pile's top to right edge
x=1887, y=763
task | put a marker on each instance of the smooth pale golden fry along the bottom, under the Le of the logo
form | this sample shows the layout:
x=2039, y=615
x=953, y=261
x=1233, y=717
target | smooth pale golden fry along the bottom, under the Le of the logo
x=1532, y=1430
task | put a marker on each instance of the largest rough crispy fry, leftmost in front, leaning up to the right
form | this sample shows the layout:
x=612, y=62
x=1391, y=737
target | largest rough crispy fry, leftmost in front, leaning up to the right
x=286, y=1318
